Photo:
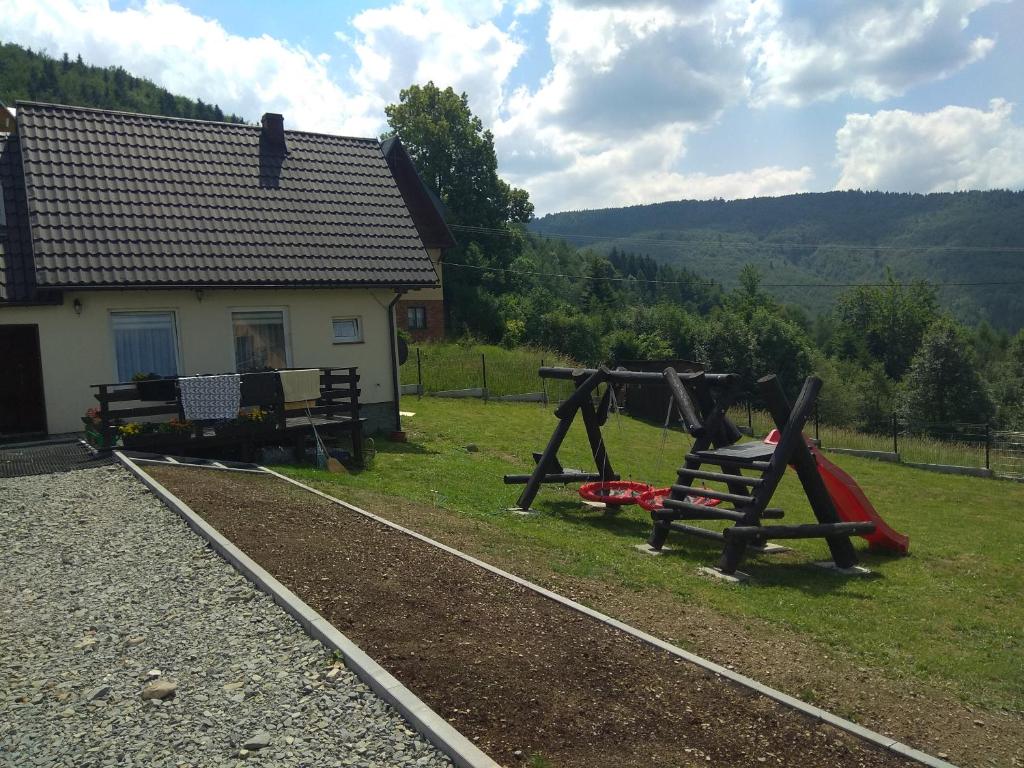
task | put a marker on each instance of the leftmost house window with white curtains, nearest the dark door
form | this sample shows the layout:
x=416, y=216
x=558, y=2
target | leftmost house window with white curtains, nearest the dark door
x=145, y=344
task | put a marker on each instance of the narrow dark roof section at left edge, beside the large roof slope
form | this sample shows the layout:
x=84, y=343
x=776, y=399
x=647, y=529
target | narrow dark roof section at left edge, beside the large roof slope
x=18, y=278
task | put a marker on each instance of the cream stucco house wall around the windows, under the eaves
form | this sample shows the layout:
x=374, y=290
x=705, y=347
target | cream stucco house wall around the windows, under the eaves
x=78, y=350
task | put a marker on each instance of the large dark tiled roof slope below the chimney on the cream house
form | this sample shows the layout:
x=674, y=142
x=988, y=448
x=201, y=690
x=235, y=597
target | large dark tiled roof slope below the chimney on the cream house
x=135, y=200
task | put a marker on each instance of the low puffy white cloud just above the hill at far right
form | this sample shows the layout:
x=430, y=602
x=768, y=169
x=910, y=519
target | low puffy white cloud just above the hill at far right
x=956, y=148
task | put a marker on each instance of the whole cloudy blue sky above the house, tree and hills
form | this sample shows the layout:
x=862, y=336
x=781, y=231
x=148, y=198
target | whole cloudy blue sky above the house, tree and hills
x=598, y=104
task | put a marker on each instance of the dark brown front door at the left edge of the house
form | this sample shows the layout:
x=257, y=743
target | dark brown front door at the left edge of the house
x=23, y=409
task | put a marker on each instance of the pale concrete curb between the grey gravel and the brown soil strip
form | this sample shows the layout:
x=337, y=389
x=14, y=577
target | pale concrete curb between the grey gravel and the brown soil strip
x=463, y=753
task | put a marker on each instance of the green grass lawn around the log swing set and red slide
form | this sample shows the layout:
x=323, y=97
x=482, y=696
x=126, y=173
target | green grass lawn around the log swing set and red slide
x=950, y=614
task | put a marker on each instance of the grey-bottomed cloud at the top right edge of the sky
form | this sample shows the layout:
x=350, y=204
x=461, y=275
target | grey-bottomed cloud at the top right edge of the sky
x=877, y=50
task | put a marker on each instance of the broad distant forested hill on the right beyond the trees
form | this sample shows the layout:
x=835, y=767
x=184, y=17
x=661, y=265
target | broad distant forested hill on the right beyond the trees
x=832, y=238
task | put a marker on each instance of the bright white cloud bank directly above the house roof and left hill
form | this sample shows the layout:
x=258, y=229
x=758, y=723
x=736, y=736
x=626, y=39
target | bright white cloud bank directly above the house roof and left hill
x=193, y=57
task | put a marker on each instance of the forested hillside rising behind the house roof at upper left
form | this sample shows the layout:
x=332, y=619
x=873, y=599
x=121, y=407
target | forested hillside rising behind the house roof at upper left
x=37, y=77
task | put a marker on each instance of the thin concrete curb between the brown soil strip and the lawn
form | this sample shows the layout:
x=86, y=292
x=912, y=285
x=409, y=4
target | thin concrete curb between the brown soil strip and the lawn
x=814, y=712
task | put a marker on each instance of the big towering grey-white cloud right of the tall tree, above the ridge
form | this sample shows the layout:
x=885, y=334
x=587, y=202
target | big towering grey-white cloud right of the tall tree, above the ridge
x=608, y=125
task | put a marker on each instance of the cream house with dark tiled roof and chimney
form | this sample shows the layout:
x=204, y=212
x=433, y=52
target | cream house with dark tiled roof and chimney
x=141, y=244
